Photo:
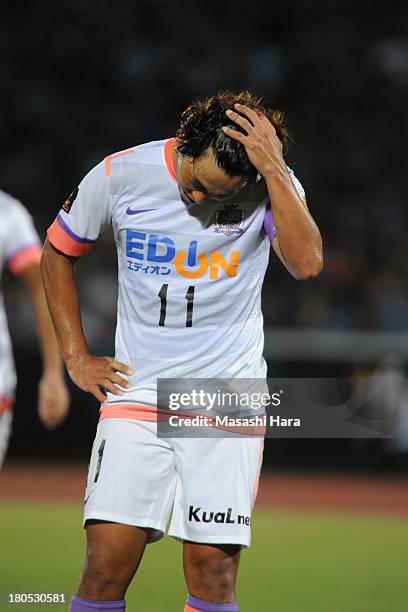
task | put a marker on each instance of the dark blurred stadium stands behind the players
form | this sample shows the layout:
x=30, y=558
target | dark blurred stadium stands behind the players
x=82, y=79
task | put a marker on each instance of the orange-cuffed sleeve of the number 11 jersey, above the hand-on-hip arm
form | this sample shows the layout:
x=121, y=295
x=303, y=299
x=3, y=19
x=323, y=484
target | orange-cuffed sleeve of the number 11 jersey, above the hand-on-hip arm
x=84, y=215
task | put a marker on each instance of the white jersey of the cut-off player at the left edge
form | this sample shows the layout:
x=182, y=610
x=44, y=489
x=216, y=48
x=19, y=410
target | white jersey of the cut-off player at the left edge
x=19, y=248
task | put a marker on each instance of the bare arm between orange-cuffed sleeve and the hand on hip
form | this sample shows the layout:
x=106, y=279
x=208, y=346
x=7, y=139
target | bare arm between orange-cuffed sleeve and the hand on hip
x=63, y=302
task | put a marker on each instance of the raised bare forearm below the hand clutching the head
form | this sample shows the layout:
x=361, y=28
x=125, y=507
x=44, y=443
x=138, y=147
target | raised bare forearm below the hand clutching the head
x=297, y=233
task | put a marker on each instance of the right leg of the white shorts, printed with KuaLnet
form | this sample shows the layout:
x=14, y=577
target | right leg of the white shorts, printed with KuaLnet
x=217, y=481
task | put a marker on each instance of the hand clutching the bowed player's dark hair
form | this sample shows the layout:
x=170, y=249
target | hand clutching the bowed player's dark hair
x=261, y=142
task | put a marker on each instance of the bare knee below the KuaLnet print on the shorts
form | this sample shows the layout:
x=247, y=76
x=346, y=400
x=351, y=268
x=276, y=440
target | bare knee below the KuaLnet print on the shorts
x=210, y=571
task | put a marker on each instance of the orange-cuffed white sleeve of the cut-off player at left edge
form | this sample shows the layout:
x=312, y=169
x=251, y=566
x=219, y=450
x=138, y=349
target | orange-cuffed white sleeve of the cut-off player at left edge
x=22, y=245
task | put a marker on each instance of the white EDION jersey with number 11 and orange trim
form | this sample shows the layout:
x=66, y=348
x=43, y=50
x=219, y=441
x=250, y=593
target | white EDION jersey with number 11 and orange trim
x=190, y=276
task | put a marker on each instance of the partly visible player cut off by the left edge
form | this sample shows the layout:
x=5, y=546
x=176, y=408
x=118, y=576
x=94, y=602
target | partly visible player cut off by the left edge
x=20, y=249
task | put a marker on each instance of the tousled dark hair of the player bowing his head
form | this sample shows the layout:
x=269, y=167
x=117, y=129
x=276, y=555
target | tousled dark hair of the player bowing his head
x=201, y=128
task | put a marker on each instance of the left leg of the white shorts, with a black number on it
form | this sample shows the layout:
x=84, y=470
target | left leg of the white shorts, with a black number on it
x=131, y=478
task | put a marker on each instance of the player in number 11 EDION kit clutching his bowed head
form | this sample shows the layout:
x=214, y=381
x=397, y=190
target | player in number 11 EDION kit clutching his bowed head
x=193, y=218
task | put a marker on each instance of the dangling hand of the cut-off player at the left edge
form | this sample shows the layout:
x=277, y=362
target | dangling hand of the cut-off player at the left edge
x=53, y=399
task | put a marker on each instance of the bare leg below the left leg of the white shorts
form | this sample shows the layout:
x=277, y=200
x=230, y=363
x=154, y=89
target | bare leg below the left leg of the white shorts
x=113, y=555
